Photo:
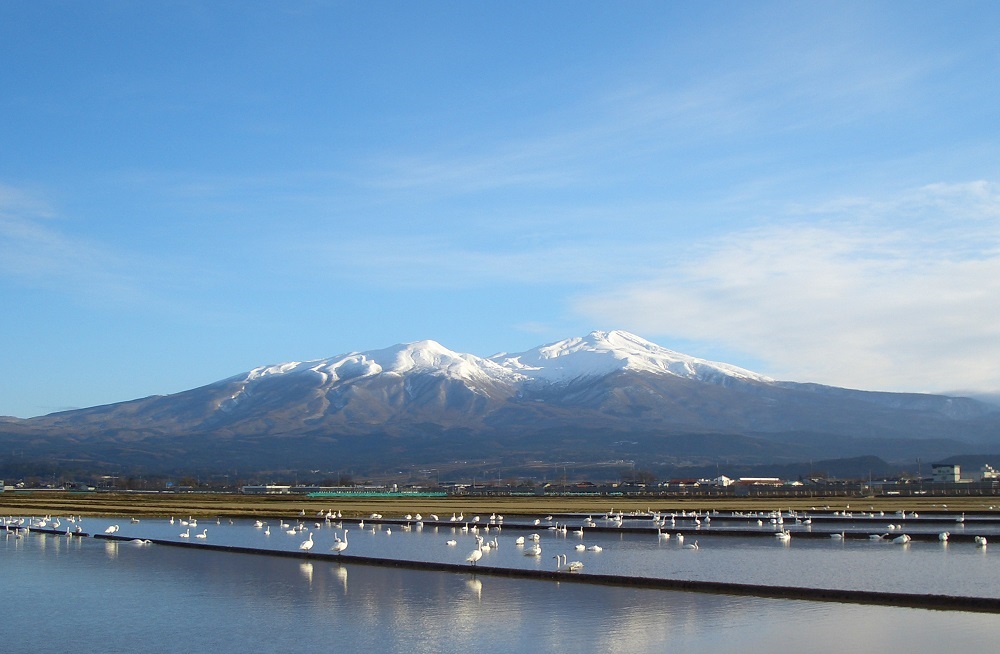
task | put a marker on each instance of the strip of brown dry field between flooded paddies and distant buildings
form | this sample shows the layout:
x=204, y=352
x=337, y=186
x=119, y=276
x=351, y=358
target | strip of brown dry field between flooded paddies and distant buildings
x=221, y=504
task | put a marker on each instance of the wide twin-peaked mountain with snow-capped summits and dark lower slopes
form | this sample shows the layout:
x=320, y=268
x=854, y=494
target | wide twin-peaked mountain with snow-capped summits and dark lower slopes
x=606, y=394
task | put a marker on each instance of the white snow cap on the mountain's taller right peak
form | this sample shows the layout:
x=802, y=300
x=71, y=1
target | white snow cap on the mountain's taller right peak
x=601, y=353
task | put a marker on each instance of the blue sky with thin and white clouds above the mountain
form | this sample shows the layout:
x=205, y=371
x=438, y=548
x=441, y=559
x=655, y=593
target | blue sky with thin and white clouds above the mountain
x=189, y=190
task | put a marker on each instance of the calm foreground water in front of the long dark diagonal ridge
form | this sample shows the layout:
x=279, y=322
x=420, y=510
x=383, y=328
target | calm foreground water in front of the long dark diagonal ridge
x=100, y=591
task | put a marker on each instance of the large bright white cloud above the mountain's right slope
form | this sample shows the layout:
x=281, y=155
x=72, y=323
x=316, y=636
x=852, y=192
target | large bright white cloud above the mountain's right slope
x=900, y=294
